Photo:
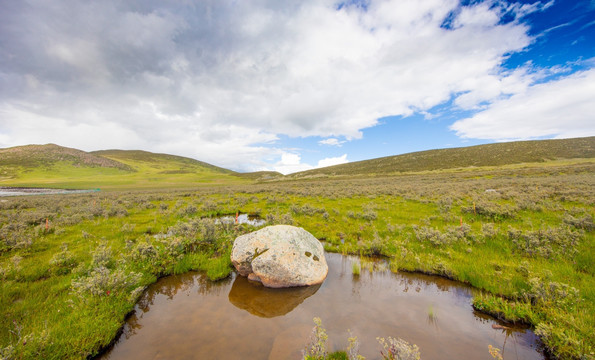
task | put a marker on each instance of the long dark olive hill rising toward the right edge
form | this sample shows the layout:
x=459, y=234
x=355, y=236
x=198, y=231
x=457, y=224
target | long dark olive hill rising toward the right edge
x=481, y=155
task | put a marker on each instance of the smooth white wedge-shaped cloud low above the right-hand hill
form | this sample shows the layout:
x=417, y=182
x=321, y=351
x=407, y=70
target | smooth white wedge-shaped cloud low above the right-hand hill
x=562, y=108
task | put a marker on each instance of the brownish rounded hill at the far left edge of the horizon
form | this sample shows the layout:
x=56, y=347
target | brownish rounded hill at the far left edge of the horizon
x=31, y=156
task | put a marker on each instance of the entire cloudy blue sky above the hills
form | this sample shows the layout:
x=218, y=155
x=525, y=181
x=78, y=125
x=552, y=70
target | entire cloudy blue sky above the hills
x=293, y=85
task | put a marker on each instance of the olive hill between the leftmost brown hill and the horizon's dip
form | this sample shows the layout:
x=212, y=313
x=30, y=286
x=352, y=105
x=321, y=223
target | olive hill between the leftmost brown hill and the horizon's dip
x=163, y=163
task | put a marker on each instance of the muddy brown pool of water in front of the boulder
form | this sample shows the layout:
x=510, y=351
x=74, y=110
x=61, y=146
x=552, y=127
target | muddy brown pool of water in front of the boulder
x=189, y=317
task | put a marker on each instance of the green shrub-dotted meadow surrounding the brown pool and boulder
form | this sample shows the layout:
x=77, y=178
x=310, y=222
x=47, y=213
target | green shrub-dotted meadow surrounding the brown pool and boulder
x=73, y=266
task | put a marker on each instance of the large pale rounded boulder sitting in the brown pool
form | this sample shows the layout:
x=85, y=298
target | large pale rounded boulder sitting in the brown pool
x=280, y=256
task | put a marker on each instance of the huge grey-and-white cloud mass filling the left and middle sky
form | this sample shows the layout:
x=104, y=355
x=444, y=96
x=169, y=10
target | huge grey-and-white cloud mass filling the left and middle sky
x=221, y=80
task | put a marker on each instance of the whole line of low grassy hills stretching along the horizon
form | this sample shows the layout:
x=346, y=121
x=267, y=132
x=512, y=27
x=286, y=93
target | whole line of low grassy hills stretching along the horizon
x=60, y=167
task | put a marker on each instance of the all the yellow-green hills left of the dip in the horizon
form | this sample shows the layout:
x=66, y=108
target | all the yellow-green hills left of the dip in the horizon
x=60, y=167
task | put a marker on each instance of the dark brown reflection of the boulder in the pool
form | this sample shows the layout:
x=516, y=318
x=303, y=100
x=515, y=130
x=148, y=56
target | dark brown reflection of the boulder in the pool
x=264, y=302
